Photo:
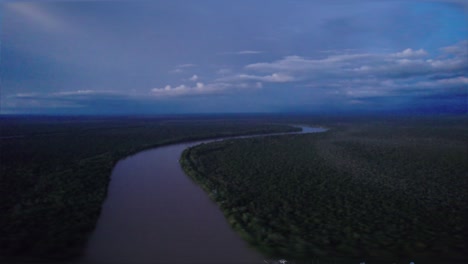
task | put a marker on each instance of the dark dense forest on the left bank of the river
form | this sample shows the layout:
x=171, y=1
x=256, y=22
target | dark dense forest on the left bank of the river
x=54, y=172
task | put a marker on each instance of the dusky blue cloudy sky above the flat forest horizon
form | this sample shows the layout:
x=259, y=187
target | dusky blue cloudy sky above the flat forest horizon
x=243, y=56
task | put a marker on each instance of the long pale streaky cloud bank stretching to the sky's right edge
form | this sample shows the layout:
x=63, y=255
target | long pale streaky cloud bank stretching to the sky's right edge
x=404, y=64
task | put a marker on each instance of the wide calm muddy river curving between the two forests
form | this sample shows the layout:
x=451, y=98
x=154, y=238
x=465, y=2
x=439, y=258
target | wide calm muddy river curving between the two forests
x=154, y=213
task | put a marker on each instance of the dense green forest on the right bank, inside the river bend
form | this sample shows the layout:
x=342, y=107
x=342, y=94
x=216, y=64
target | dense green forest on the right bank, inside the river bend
x=385, y=190
